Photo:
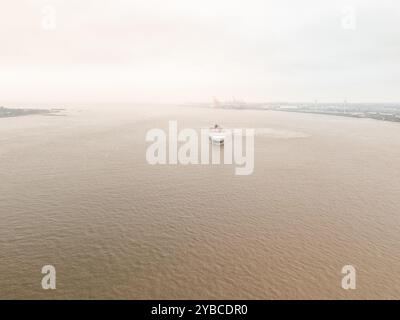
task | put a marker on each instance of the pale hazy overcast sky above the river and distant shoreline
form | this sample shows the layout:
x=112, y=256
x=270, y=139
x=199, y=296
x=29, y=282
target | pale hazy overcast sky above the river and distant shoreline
x=117, y=51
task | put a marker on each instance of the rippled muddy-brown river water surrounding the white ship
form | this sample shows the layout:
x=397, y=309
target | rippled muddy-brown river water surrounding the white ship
x=76, y=192
